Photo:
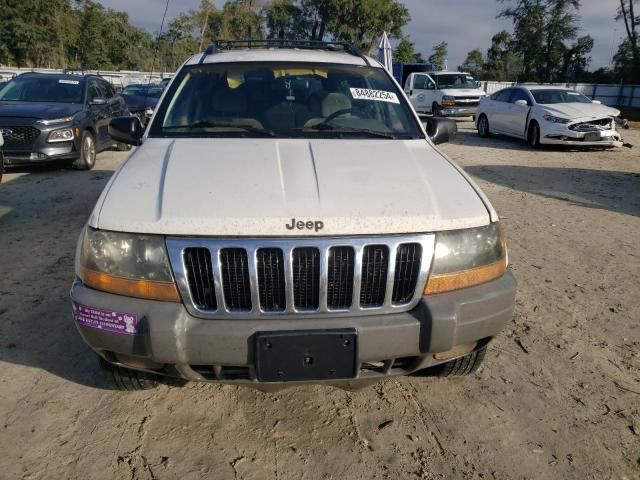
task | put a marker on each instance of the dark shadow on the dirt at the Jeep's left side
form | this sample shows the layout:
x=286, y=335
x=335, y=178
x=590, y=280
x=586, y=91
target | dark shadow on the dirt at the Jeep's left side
x=41, y=215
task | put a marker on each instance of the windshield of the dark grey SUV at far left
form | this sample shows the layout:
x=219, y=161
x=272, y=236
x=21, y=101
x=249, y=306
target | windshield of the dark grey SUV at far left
x=43, y=89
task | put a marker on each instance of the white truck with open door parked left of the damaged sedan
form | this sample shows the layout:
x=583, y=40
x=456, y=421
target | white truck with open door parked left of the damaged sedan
x=448, y=94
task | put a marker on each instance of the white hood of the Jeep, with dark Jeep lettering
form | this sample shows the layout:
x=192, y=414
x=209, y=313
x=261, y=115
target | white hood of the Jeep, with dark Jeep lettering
x=254, y=187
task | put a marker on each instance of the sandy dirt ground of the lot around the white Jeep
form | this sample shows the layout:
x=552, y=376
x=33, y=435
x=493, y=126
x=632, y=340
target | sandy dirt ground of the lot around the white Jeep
x=559, y=395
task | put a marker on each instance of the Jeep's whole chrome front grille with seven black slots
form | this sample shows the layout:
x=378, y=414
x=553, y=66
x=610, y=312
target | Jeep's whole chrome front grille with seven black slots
x=317, y=276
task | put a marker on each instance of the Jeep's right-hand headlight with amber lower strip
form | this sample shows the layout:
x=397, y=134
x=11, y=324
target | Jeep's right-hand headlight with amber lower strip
x=464, y=258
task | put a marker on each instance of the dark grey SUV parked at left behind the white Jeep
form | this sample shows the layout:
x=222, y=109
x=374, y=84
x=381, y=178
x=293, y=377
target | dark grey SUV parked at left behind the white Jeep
x=58, y=117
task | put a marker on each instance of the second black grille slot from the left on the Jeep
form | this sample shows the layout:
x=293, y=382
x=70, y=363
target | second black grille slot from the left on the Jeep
x=234, y=265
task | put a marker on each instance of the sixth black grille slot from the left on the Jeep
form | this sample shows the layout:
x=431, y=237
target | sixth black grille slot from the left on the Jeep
x=375, y=265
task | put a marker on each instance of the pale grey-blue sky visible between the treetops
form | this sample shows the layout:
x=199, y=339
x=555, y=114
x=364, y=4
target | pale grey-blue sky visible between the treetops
x=463, y=24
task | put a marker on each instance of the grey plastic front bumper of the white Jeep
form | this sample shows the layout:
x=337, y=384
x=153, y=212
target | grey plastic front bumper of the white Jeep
x=172, y=342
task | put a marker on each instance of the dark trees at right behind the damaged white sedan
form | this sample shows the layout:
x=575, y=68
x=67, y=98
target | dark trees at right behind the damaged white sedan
x=545, y=46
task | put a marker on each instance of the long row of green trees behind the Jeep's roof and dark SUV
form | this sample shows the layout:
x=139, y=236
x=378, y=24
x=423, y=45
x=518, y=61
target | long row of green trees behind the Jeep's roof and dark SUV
x=84, y=34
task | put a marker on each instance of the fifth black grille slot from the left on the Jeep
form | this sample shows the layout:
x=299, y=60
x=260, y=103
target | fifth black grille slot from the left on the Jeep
x=340, y=278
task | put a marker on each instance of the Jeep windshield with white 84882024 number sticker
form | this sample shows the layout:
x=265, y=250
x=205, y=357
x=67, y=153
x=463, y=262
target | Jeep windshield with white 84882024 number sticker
x=292, y=100
